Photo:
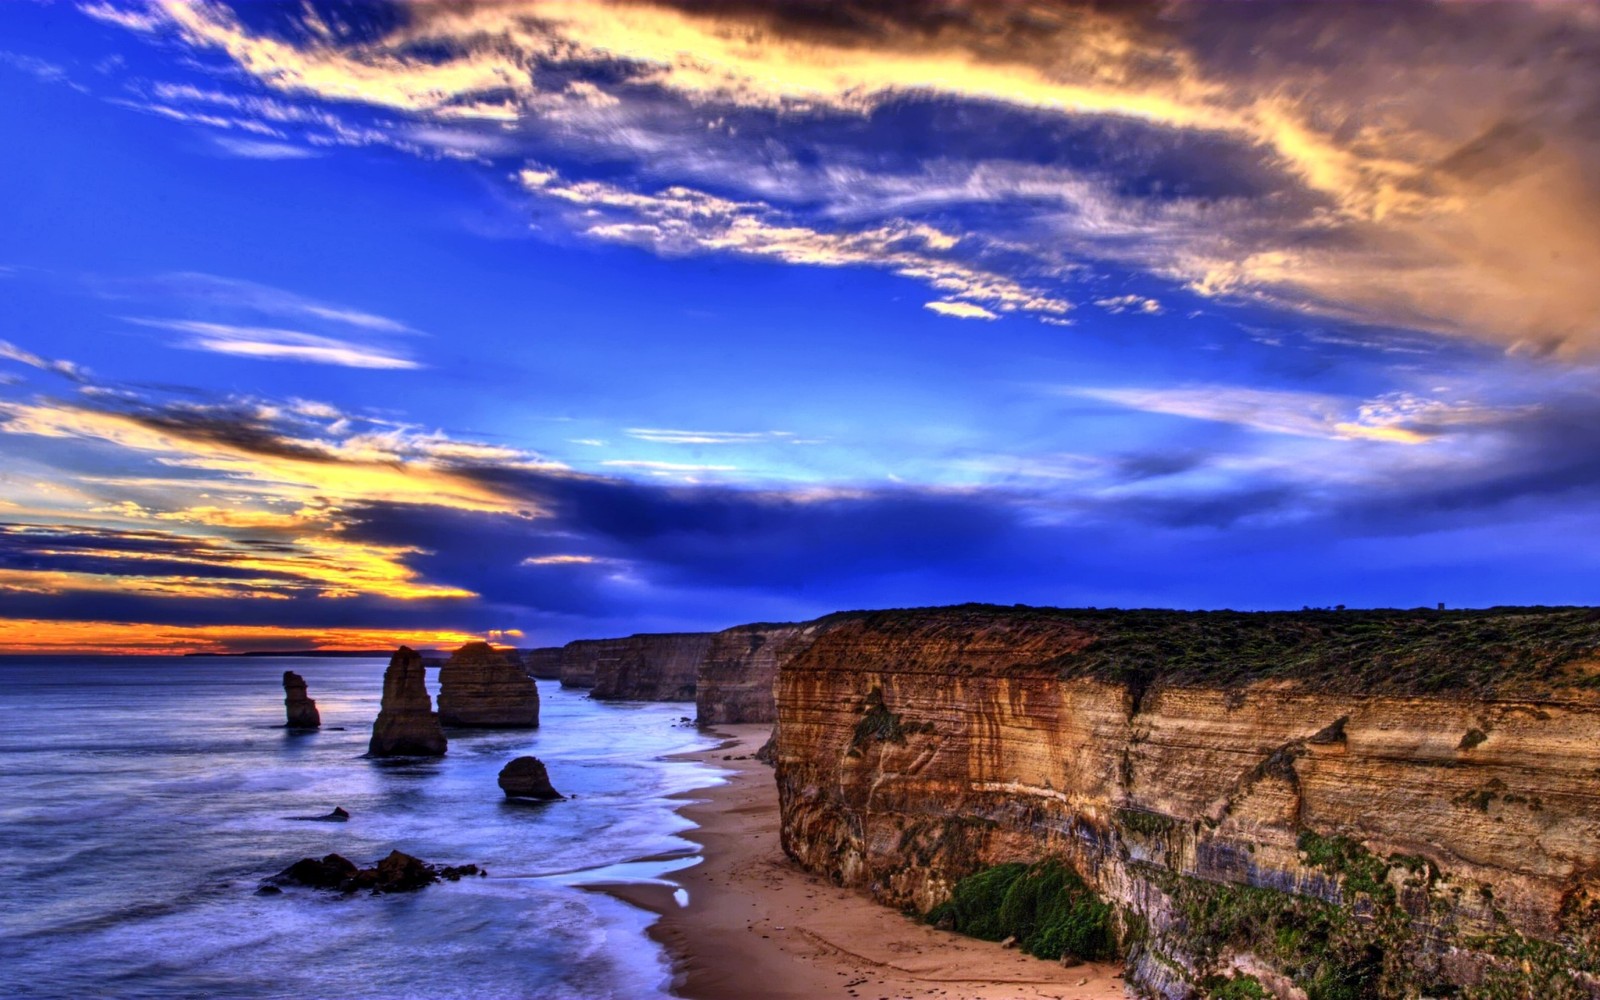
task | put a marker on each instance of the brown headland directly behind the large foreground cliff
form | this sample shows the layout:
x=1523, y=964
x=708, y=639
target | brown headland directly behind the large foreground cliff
x=737, y=678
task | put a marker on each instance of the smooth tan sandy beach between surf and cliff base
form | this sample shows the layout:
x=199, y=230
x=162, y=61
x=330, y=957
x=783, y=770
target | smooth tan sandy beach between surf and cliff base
x=759, y=927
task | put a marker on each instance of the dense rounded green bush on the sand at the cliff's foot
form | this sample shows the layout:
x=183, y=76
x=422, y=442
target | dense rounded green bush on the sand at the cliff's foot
x=1046, y=906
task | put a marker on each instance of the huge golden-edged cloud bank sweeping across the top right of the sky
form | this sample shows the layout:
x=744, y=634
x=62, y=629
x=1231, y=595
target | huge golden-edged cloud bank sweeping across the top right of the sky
x=1433, y=172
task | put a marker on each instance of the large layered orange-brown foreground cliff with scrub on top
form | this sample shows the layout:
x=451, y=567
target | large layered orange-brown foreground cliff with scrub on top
x=1343, y=806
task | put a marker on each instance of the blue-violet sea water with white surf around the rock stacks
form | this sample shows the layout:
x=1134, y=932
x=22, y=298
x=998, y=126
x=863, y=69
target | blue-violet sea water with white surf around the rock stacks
x=145, y=799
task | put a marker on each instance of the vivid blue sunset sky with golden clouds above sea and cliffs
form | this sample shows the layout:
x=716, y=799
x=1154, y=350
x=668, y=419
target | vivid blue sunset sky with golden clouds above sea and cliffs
x=351, y=324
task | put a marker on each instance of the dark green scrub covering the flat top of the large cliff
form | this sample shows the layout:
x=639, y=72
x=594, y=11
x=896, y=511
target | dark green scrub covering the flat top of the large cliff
x=1374, y=652
